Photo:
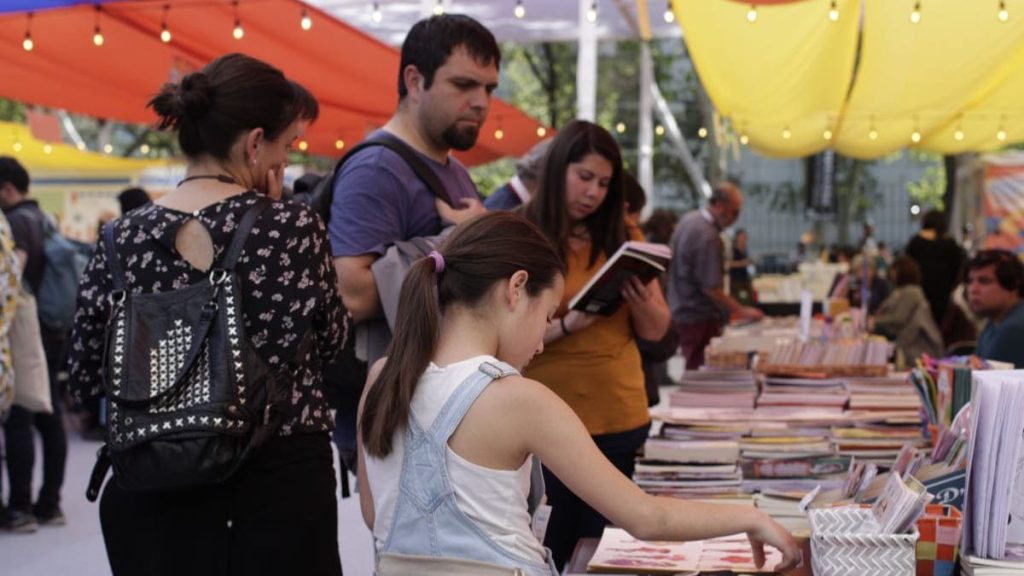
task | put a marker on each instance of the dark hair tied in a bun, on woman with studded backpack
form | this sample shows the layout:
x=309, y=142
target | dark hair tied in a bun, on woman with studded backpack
x=234, y=94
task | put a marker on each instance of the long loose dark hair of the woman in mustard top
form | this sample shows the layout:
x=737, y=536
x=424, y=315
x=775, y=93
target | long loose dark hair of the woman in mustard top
x=547, y=210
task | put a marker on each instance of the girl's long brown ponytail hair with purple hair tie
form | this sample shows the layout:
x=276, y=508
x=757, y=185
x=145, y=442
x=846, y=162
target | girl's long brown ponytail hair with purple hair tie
x=478, y=256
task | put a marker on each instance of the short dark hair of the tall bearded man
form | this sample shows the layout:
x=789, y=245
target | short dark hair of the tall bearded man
x=433, y=40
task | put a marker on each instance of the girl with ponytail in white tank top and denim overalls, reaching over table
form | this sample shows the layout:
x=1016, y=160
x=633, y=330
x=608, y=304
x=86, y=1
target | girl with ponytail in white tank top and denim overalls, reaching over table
x=448, y=427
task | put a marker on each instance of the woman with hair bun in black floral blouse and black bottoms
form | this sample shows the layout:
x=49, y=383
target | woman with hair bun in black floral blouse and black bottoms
x=276, y=514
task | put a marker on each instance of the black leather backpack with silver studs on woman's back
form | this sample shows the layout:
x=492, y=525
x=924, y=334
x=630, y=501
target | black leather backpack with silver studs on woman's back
x=189, y=398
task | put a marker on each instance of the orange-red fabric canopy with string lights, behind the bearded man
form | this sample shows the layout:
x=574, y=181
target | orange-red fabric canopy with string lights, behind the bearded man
x=354, y=76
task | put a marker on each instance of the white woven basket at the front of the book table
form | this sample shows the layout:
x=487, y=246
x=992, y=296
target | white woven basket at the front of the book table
x=842, y=545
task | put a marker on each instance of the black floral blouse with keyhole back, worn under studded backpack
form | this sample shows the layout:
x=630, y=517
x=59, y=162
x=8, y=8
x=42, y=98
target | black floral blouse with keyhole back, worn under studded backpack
x=287, y=282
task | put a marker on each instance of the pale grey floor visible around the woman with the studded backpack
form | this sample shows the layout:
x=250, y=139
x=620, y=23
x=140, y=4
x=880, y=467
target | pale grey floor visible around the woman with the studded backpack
x=78, y=548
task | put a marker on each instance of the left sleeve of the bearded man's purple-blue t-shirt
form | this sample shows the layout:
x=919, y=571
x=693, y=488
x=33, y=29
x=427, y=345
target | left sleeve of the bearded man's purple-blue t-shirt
x=366, y=211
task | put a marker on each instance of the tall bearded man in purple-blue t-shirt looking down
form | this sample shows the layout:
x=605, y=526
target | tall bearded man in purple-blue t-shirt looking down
x=448, y=73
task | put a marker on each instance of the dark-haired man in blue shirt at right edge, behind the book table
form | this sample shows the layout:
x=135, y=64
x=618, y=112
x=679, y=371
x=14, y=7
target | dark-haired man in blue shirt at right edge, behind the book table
x=995, y=281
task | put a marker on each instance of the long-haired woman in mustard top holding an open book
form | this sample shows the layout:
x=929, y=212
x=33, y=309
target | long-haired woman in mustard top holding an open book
x=590, y=361
